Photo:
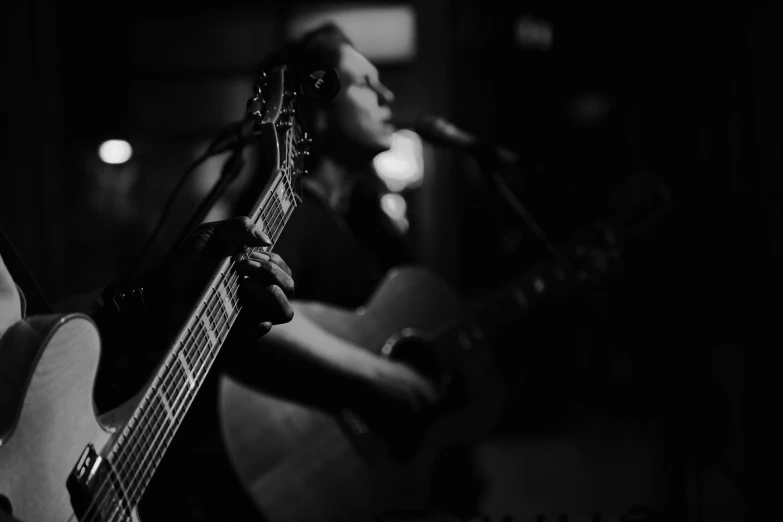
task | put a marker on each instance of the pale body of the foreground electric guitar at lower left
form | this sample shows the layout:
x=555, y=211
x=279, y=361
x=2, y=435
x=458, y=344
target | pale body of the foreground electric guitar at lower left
x=48, y=365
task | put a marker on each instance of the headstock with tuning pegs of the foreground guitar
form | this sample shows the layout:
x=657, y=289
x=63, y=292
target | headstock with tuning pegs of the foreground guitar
x=274, y=109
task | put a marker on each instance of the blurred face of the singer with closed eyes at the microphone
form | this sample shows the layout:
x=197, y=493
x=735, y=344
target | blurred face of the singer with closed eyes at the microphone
x=359, y=114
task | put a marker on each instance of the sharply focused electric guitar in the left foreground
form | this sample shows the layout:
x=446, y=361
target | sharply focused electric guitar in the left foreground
x=58, y=462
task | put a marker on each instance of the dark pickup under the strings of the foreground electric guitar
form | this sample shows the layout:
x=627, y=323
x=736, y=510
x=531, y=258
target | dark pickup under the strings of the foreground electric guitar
x=95, y=489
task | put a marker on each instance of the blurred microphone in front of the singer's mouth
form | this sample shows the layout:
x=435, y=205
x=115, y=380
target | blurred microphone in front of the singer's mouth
x=440, y=131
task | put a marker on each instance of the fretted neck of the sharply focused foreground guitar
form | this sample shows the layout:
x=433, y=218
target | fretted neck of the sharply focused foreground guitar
x=140, y=447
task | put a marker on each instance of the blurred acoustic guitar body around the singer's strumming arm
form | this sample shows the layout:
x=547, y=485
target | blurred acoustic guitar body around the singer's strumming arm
x=301, y=464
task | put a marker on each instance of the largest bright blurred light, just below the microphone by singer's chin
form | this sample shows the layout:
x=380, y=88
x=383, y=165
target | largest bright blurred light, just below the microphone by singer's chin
x=402, y=166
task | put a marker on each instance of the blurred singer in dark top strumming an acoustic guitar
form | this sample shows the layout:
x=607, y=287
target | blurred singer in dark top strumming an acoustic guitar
x=339, y=244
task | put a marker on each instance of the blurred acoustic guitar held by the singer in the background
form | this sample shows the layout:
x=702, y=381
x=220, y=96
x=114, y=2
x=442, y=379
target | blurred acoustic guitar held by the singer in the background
x=299, y=463
